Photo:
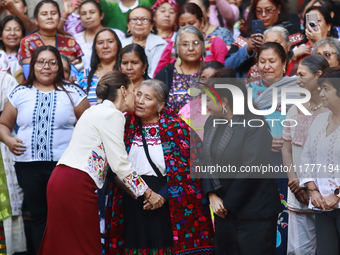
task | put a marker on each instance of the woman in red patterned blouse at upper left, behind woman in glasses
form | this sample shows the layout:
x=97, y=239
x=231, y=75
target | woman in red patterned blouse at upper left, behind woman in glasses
x=47, y=15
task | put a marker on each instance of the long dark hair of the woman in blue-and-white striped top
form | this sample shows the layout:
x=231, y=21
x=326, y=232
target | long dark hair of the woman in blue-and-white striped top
x=95, y=59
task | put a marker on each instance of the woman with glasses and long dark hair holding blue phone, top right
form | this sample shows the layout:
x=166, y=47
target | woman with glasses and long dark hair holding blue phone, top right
x=242, y=54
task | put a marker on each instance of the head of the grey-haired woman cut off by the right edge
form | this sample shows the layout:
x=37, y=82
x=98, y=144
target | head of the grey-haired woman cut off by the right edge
x=329, y=48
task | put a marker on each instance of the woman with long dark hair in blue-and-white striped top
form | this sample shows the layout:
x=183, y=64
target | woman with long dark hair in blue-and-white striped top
x=105, y=49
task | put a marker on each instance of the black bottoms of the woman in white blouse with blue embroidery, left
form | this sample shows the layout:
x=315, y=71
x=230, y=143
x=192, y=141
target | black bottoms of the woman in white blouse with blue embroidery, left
x=33, y=178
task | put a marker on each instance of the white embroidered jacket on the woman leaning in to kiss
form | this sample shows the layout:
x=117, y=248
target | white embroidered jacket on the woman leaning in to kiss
x=97, y=142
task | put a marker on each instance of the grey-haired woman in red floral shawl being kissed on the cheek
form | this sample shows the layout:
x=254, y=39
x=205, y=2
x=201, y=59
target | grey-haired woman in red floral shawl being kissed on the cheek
x=180, y=222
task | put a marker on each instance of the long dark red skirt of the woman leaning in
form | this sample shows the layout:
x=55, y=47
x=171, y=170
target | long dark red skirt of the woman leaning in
x=72, y=220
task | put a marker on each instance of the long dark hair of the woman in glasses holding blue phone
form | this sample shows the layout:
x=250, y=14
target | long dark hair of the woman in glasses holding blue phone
x=283, y=16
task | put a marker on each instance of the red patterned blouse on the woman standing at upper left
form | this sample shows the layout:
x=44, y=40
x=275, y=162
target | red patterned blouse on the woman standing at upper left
x=65, y=44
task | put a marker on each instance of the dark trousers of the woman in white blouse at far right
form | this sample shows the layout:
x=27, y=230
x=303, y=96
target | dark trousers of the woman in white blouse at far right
x=327, y=226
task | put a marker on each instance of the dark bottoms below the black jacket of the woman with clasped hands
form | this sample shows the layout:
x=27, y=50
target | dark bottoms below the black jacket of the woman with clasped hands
x=244, y=237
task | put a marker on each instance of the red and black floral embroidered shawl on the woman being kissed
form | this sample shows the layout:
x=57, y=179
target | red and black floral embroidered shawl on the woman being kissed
x=191, y=227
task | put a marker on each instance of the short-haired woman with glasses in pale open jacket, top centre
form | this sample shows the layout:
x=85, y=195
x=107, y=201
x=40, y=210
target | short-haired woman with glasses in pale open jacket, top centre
x=140, y=25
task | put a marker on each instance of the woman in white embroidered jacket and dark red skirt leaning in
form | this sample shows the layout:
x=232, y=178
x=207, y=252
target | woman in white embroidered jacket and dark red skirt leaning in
x=96, y=144
